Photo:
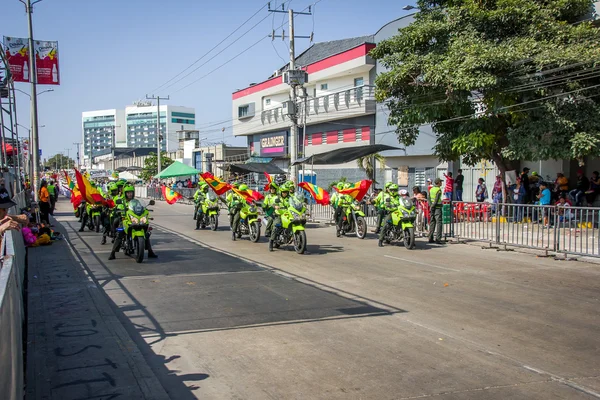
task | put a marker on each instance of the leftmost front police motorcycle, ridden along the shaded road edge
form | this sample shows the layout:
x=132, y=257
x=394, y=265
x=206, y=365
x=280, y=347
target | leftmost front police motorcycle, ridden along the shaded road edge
x=136, y=228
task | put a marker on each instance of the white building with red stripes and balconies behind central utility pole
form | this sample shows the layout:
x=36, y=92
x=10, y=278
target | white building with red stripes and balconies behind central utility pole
x=337, y=102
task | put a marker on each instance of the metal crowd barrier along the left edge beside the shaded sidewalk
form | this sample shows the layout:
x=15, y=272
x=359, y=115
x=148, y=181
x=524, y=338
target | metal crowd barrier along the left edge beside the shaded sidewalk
x=12, y=316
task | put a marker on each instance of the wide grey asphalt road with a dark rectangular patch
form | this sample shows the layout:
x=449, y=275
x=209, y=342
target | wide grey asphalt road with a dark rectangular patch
x=228, y=320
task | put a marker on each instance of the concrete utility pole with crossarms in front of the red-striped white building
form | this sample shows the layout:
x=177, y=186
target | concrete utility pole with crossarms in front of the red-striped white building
x=294, y=79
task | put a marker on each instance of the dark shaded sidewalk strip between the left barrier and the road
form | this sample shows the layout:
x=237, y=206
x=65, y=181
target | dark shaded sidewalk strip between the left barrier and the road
x=76, y=346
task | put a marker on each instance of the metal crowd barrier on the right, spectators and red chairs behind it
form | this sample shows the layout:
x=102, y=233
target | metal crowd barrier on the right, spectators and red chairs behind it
x=557, y=229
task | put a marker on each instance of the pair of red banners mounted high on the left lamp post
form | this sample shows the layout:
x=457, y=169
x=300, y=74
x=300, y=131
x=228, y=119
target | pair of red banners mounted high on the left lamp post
x=46, y=59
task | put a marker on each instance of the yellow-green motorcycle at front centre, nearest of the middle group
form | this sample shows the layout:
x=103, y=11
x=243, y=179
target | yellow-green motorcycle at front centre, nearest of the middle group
x=292, y=227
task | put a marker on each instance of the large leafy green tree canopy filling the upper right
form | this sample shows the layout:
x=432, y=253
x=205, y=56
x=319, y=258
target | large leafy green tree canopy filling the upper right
x=497, y=80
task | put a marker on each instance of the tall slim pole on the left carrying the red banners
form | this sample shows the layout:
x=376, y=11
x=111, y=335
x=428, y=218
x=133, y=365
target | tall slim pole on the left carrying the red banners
x=35, y=152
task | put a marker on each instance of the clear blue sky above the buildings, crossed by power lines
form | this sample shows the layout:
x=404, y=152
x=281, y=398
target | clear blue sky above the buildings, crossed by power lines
x=114, y=52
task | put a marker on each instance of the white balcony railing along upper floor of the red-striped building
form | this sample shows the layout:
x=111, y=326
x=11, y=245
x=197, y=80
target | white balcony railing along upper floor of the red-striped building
x=354, y=98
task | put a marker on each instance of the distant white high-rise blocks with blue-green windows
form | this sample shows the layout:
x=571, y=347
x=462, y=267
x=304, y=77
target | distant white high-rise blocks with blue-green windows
x=134, y=127
